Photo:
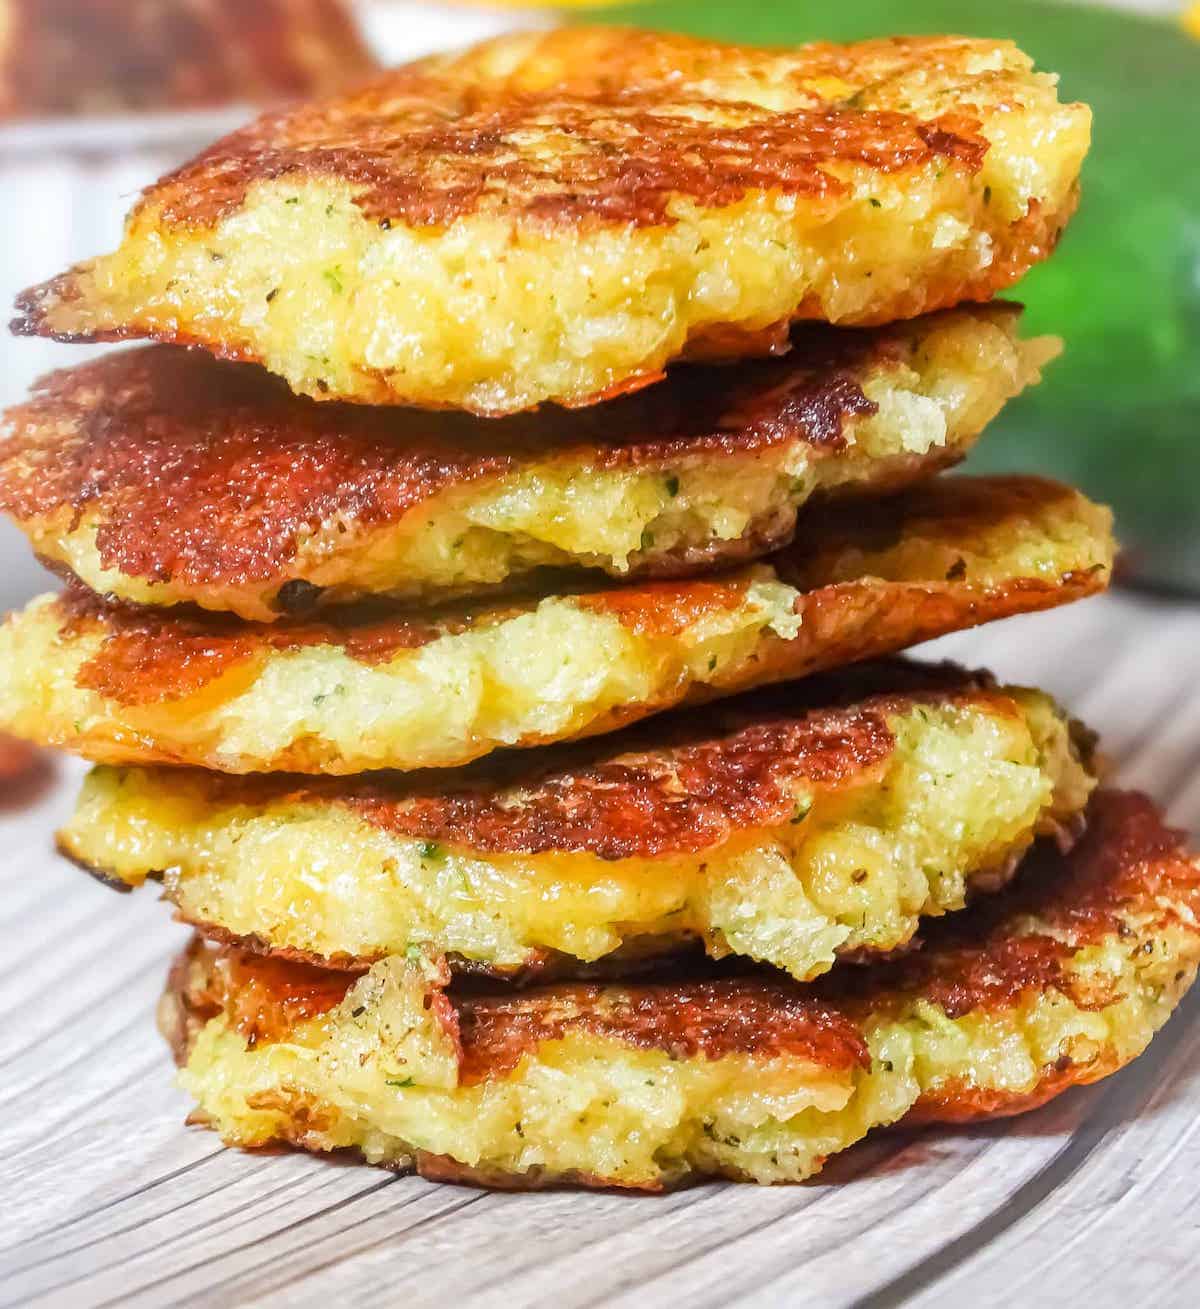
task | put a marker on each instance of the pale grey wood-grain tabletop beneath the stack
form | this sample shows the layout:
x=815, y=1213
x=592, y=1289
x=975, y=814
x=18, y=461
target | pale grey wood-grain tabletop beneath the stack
x=107, y=1198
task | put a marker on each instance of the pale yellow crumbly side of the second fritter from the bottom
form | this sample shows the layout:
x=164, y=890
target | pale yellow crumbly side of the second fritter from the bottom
x=965, y=791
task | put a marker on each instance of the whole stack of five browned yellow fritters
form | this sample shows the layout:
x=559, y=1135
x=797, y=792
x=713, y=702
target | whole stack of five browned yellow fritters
x=336, y=641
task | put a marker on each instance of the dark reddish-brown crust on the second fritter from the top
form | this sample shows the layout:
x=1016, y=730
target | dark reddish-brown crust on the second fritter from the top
x=205, y=475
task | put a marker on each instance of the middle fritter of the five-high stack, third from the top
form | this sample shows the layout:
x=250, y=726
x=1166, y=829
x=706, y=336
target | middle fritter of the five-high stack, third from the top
x=442, y=689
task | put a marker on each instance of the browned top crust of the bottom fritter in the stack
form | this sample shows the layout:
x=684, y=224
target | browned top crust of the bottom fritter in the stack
x=1127, y=879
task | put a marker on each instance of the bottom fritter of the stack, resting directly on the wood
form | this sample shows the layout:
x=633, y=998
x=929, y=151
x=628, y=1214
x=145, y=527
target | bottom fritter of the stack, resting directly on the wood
x=1057, y=982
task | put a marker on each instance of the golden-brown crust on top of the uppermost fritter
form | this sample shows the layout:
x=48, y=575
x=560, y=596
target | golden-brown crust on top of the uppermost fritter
x=442, y=139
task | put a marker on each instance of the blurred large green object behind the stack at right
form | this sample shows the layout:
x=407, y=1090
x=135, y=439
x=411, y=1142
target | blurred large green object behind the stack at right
x=1120, y=414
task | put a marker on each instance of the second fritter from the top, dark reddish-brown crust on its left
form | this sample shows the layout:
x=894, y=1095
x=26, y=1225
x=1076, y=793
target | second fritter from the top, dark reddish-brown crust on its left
x=166, y=477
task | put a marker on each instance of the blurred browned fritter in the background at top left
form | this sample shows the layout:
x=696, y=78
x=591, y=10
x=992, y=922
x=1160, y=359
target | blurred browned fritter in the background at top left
x=105, y=57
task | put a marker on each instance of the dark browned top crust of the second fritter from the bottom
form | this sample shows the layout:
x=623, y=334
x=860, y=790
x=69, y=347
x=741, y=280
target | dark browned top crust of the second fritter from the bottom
x=680, y=786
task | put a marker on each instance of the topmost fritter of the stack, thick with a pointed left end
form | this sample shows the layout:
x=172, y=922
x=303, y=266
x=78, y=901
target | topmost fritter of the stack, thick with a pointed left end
x=556, y=217
